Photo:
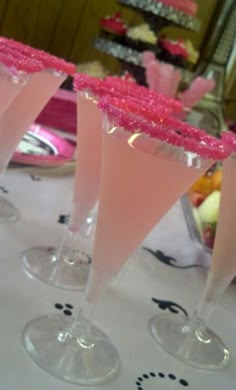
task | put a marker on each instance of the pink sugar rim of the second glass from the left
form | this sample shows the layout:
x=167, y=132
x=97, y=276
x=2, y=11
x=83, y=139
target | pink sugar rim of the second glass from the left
x=49, y=61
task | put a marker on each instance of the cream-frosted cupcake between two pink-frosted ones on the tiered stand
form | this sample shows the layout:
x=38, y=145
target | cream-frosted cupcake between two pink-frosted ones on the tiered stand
x=141, y=38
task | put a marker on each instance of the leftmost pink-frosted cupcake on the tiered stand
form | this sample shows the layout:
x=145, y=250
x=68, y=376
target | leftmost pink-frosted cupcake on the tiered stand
x=113, y=28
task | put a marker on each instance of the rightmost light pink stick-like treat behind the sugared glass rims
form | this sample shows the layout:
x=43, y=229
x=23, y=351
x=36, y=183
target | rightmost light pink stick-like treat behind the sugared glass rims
x=196, y=91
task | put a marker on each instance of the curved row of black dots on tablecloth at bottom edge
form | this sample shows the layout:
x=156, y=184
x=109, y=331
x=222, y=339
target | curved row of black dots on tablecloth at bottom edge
x=157, y=377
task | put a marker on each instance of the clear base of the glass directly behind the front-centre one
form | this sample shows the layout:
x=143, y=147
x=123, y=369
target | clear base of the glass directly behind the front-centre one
x=68, y=272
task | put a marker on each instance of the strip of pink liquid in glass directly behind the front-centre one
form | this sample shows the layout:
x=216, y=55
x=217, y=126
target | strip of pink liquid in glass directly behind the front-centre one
x=89, y=139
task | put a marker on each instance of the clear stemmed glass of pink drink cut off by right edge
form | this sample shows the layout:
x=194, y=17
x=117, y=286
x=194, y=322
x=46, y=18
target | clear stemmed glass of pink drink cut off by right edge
x=190, y=340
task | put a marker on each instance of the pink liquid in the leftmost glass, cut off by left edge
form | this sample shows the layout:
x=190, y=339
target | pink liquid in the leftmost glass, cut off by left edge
x=8, y=90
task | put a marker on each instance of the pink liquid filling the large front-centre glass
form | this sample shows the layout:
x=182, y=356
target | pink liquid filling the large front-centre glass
x=136, y=190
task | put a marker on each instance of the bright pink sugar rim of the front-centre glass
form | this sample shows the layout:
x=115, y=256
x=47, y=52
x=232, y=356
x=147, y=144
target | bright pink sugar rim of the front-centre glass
x=215, y=149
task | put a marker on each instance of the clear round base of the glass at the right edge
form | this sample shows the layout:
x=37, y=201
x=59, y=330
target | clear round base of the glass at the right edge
x=200, y=349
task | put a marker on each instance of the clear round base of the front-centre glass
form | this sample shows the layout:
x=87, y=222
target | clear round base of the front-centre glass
x=49, y=342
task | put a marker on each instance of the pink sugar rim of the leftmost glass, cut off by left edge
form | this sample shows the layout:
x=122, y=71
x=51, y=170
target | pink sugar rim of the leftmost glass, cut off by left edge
x=21, y=63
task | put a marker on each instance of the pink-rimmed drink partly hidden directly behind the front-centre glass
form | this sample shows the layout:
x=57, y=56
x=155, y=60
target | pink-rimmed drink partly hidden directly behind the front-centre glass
x=89, y=120
